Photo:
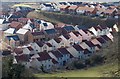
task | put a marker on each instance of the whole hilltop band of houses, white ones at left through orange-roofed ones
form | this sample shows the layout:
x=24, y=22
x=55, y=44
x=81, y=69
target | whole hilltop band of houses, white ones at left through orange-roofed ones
x=92, y=9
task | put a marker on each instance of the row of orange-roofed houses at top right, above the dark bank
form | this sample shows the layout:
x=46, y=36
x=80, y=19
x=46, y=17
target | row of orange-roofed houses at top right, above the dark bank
x=87, y=10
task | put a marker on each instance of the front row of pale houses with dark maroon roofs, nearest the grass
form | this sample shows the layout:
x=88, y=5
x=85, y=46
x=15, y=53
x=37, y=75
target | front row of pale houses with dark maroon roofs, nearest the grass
x=40, y=54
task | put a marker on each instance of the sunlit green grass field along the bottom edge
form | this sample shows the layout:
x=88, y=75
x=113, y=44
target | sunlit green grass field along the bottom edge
x=98, y=71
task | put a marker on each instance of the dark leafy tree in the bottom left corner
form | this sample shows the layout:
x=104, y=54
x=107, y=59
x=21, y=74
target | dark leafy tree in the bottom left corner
x=10, y=70
